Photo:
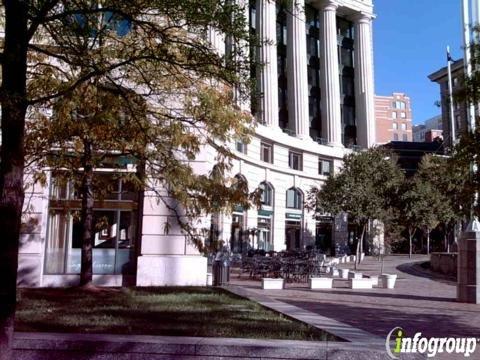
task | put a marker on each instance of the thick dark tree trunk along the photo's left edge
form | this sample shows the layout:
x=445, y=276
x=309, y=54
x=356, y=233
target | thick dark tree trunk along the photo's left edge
x=14, y=105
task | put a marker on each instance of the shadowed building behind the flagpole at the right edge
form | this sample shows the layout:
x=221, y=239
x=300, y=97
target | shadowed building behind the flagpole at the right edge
x=459, y=106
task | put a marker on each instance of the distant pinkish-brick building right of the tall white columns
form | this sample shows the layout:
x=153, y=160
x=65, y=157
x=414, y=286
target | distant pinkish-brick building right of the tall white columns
x=393, y=118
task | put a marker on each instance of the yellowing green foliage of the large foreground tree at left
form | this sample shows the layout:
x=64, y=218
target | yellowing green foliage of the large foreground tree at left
x=158, y=93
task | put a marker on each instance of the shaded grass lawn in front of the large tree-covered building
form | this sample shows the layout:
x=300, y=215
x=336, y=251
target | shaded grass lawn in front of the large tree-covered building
x=204, y=312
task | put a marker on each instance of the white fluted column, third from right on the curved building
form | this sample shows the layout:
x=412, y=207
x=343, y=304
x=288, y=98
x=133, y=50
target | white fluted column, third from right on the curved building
x=297, y=70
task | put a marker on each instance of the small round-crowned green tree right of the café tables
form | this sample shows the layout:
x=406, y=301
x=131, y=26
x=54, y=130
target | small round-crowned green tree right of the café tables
x=364, y=189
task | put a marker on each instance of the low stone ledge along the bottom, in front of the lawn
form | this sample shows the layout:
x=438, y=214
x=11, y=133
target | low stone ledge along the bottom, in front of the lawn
x=42, y=346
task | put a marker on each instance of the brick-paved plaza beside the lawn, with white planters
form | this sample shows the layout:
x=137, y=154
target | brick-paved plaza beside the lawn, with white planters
x=420, y=302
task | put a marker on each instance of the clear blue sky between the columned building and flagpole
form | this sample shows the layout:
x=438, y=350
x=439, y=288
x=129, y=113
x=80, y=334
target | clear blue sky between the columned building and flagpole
x=410, y=39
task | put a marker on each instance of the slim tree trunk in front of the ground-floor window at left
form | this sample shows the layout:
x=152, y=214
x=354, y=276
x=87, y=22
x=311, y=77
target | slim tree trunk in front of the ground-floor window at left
x=86, y=272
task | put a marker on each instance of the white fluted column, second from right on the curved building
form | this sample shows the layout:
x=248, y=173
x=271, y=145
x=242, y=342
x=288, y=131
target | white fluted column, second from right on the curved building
x=330, y=80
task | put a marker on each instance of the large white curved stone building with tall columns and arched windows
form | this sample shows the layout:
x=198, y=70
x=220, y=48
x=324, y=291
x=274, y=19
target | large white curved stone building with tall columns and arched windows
x=326, y=68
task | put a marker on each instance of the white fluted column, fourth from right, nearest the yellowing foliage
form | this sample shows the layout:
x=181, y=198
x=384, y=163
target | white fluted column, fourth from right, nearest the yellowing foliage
x=267, y=56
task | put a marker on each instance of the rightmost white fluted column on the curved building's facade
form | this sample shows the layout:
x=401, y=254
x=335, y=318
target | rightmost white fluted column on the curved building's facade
x=364, y=86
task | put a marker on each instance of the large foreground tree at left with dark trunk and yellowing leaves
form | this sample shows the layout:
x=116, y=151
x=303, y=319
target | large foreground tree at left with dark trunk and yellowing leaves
x=156, y=50
